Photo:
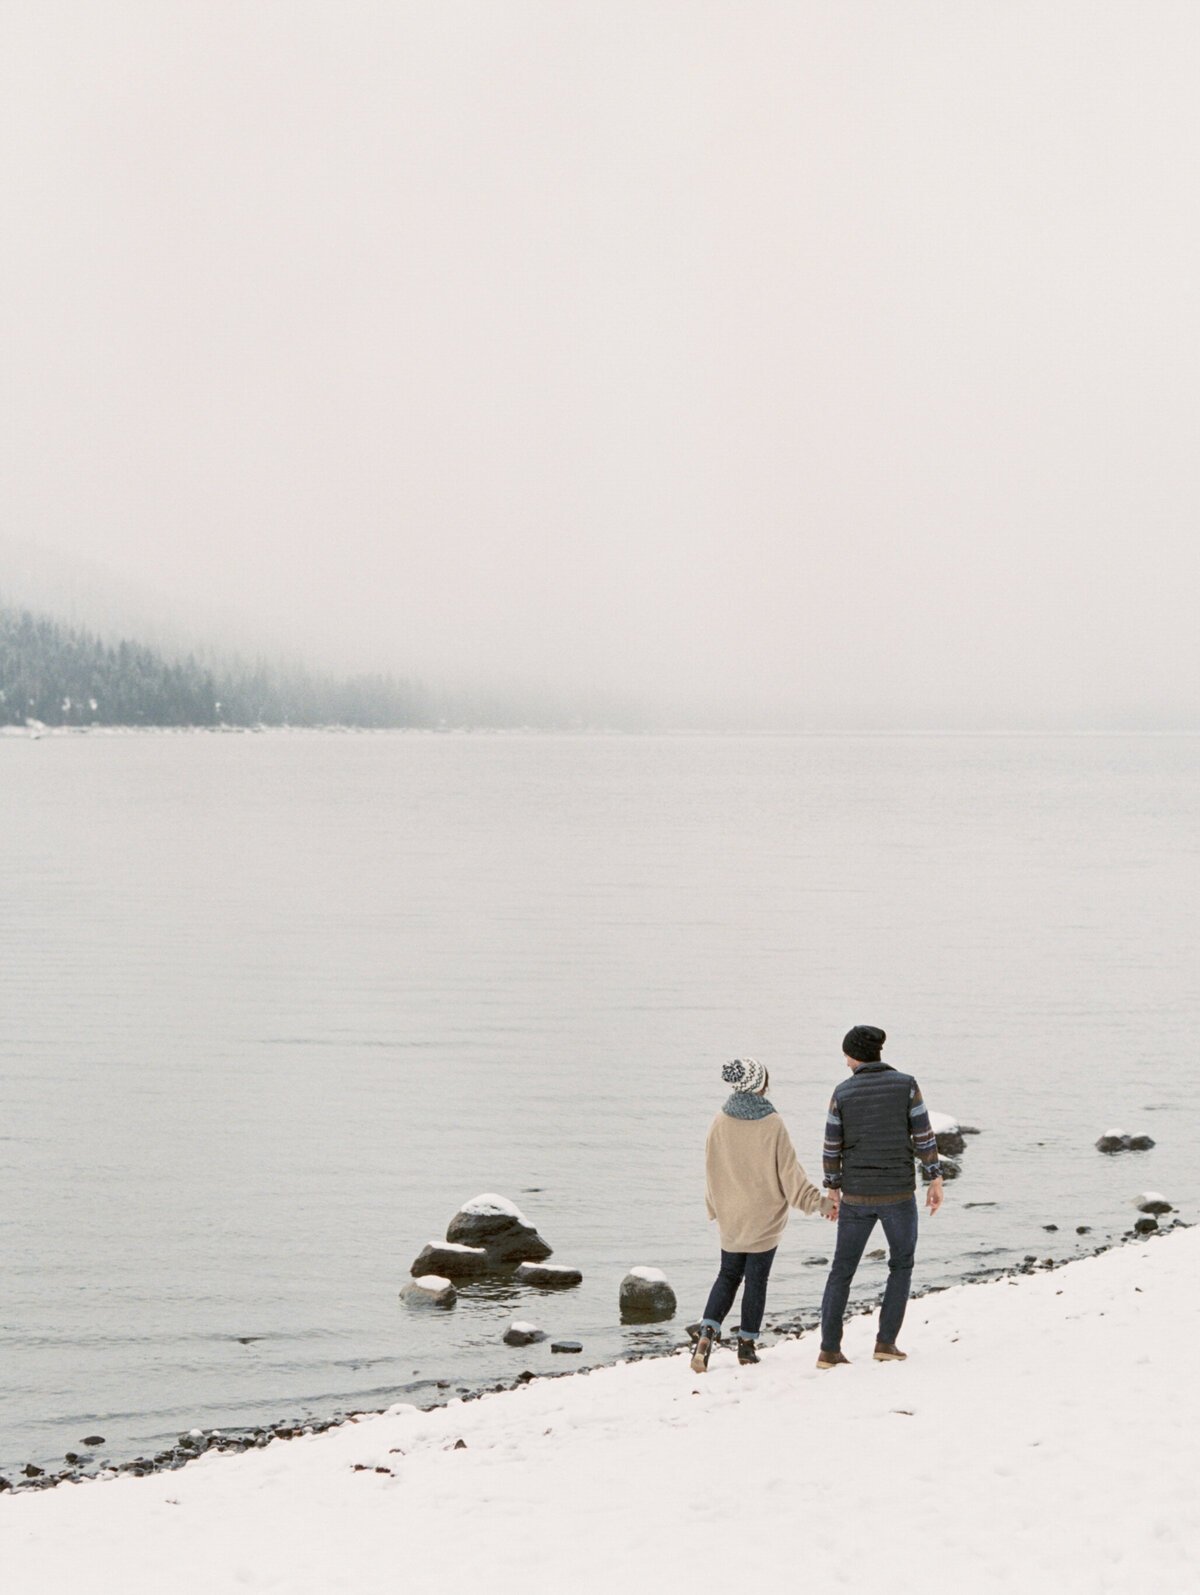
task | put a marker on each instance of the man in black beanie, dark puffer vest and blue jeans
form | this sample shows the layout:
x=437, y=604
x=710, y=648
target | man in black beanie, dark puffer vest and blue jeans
x=875, y=1124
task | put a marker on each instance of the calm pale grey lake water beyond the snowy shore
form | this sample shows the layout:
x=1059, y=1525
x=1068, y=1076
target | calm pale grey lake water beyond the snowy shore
x=275, y=1006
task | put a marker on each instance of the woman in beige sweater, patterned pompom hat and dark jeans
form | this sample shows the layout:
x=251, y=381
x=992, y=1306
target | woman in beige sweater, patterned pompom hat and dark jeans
x=752, y=1178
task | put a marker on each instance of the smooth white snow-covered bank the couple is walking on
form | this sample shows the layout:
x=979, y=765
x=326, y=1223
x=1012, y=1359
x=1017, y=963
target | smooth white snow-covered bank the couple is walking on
x=1044, y=1435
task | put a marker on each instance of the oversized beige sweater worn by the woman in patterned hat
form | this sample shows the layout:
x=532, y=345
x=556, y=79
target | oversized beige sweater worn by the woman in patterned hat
x=752, y=1178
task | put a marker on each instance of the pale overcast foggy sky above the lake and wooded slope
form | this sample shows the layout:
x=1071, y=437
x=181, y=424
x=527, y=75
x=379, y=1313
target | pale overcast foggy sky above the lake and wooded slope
x=834, y=356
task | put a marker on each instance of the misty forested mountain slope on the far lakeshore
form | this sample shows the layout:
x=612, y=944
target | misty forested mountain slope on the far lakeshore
x=66, y=677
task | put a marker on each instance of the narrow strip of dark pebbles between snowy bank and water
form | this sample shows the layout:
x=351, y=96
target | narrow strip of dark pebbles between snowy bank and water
x=194, y=1444
